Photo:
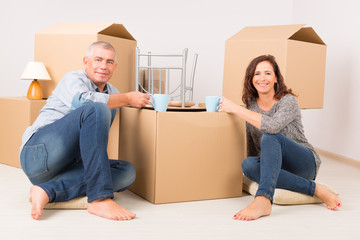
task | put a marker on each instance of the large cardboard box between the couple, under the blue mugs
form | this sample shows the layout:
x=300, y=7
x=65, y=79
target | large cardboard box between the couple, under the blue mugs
x=183, y=156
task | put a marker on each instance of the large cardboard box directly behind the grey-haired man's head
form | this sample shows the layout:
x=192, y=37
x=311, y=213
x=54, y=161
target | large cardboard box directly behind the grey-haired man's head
x=61, y=48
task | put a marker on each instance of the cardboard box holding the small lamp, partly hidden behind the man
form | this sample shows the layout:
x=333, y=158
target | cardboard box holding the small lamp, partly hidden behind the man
x=19, y=113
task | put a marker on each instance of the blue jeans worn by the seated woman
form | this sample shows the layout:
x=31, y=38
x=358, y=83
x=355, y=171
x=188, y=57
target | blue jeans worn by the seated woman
x=283, y=164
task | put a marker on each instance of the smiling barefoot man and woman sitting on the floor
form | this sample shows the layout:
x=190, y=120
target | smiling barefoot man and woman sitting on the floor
x=64, y=153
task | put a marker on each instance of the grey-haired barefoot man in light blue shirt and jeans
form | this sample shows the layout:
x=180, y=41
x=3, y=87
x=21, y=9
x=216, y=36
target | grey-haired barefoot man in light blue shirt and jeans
x=64, y=153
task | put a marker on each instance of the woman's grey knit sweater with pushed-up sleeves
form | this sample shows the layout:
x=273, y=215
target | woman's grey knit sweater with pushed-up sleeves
x=285, y=118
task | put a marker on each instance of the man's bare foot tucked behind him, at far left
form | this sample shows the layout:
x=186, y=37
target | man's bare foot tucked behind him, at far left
x=39, y=199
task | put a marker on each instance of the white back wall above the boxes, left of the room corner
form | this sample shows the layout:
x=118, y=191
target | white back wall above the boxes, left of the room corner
x=158, y=25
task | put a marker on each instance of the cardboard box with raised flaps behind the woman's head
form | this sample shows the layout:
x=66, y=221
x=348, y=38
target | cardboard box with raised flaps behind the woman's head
x=299, y=51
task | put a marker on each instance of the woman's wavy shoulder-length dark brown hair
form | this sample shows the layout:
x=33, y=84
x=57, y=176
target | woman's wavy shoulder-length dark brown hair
x=249, y=91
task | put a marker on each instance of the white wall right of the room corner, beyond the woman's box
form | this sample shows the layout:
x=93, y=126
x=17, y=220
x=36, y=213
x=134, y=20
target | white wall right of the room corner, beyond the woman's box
x=336, y=127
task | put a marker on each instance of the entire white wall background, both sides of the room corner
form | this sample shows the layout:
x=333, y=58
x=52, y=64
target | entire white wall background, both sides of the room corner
x=203, y=27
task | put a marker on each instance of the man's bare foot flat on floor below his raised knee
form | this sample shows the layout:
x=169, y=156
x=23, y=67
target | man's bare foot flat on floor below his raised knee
x=108, y=208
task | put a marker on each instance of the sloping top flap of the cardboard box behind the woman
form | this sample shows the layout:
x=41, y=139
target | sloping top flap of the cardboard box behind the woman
x=267, y=32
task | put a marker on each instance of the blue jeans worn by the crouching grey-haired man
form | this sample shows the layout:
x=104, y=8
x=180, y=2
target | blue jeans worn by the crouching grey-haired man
x=68, y=158
